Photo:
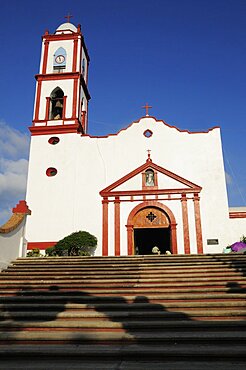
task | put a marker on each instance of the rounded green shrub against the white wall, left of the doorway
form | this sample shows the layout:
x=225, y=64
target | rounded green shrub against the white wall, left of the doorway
x=80, y=243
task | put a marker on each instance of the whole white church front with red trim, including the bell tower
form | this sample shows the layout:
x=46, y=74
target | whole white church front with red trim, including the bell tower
x=149, y=185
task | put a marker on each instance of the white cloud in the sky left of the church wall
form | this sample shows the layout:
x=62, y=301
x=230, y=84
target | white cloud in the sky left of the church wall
x=14, y=147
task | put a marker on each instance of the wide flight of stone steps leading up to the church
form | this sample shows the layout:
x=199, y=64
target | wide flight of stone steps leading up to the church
x=141, y=312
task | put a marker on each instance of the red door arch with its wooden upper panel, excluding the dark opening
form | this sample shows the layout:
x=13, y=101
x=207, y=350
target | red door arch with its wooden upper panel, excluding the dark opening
x=164, y=219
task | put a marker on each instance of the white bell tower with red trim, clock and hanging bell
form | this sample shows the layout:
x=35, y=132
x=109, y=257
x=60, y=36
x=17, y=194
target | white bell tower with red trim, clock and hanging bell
x=61, y=102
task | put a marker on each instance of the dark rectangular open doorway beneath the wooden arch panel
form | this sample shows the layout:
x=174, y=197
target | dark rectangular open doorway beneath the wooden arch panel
x=146, y=239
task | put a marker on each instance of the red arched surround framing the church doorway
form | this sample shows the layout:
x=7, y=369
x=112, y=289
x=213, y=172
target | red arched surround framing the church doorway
x=145, y=204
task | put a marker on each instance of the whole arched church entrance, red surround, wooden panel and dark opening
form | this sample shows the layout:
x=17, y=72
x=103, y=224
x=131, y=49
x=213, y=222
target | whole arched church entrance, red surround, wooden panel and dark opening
x=151, y=224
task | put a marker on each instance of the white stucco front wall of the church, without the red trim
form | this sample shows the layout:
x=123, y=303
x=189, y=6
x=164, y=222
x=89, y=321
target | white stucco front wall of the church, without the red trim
x=70, y=201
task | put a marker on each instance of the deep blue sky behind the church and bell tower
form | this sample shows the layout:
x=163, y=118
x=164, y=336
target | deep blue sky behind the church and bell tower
x=186, y=58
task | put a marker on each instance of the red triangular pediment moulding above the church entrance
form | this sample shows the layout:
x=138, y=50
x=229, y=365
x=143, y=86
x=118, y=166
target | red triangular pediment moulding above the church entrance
x=142, y=168
